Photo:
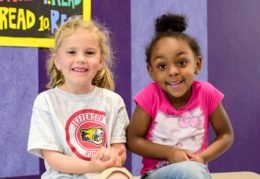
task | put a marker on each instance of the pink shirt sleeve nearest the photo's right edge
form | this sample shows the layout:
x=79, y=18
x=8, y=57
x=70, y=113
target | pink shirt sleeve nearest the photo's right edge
x=214, y=97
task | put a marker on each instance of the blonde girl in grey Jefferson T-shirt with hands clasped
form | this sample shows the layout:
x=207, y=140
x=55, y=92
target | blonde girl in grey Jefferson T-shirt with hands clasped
x=78, y=125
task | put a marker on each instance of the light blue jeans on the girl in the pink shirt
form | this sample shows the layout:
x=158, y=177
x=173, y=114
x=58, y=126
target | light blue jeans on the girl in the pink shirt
x=180, y=170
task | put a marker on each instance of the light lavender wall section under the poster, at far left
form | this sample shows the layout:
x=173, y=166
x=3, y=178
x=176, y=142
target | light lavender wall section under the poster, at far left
x=18, y=88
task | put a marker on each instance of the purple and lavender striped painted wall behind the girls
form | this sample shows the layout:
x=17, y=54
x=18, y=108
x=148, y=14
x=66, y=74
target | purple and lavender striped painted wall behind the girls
x=228, y=33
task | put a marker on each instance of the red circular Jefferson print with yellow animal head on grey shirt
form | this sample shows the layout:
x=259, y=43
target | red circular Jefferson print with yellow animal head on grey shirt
x=85, y=132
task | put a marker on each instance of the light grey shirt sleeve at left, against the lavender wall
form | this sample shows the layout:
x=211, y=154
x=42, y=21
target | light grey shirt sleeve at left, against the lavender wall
x=42, y=132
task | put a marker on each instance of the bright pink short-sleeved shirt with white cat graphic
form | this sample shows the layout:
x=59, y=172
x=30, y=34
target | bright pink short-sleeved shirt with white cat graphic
x=185, y=128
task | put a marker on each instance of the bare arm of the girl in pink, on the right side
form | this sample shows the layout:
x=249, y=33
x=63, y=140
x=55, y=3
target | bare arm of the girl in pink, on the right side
x=224, y=135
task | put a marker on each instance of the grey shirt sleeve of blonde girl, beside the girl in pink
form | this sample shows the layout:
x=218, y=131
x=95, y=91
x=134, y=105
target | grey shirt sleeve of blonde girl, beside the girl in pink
x=120, y=125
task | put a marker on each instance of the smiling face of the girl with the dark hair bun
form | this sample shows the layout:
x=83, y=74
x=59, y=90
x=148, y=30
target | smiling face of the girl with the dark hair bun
x=173, y=66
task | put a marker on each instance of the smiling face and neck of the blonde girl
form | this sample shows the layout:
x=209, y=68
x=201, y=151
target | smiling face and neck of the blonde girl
x=79, y=58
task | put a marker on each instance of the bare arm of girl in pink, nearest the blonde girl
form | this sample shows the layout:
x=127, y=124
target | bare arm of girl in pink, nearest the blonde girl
x=137, y=143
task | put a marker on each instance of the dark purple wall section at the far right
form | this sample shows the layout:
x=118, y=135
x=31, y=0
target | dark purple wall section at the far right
x=234, y=68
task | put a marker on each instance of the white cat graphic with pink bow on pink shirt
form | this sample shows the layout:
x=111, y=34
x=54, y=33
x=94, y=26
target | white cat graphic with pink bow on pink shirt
x=186, y=131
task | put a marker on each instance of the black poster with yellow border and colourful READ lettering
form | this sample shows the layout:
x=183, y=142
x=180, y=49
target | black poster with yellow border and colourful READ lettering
x=32, y=23
